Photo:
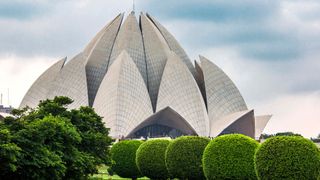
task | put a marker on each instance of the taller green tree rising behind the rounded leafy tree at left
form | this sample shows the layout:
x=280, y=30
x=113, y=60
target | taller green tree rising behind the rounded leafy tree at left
x=95, y=140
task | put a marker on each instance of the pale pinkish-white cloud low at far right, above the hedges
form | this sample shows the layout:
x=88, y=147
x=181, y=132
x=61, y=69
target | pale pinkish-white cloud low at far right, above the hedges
x=298, y=113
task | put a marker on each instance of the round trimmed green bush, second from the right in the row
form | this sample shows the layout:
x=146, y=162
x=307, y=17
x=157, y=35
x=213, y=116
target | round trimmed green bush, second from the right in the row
x=230, y=157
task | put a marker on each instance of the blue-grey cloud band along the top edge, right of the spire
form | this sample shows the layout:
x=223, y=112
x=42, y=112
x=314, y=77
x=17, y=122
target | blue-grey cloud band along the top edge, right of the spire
x=217, y=10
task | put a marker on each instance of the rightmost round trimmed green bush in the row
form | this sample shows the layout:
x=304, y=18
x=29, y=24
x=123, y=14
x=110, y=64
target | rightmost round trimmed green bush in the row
x=287, y=157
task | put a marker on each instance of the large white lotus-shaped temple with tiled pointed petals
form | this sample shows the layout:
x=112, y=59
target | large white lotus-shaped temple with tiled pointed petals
x=138, y=78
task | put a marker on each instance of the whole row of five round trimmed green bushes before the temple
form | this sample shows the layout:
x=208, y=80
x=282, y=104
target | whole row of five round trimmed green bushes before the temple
x=232, y=156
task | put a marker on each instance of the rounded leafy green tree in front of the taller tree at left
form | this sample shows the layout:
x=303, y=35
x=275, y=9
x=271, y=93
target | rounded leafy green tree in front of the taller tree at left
x=46, y=146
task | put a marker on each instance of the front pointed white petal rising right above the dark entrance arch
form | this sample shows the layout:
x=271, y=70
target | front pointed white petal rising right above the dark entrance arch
x=179, y=91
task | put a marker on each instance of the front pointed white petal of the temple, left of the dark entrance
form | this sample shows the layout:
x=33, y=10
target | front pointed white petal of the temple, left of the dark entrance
x=127, y=97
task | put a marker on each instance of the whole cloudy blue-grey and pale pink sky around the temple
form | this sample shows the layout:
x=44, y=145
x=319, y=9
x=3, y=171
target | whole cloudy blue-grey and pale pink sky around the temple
x=269, y=48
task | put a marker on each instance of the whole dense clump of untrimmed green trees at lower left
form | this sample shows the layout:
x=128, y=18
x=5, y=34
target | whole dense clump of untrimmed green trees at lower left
x=52, y=142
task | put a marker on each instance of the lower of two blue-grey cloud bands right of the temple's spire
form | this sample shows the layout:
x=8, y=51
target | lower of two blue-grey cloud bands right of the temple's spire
x=258, y=41
